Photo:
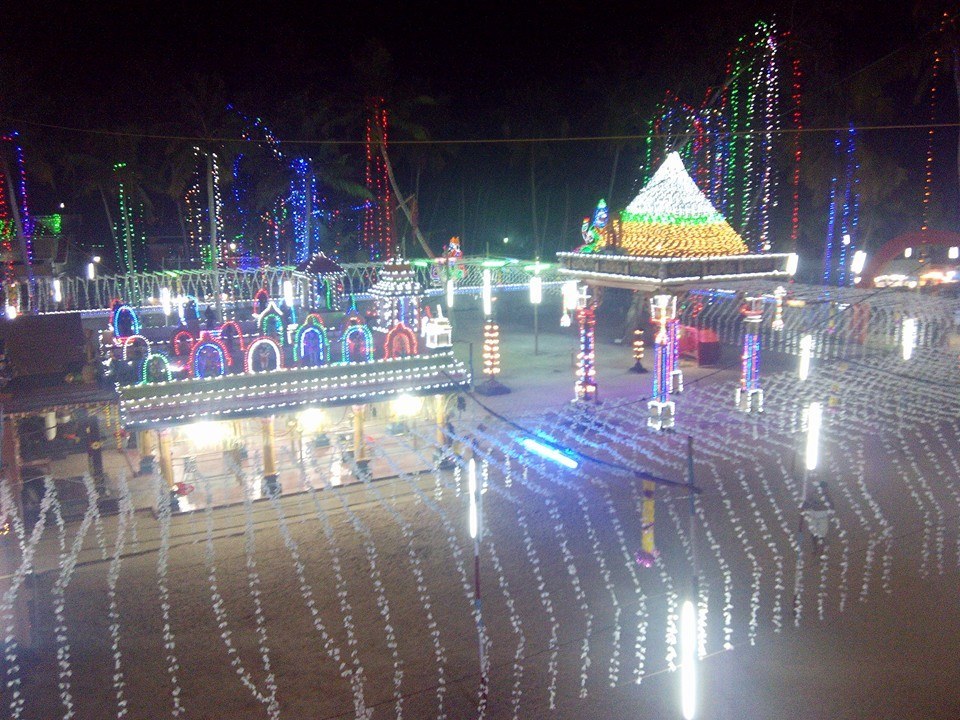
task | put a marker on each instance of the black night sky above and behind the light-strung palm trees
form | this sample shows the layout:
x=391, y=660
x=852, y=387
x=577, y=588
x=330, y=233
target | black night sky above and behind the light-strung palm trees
x=494, y=70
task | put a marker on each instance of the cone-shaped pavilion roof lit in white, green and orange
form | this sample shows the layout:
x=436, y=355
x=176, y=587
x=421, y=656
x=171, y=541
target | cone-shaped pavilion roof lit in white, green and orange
x=671, y=217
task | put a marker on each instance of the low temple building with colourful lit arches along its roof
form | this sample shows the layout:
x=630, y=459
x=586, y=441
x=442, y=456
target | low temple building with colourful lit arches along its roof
x=296, y=366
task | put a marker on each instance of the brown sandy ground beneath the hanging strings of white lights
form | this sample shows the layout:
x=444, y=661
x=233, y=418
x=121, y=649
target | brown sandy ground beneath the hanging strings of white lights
x=339, y=601
